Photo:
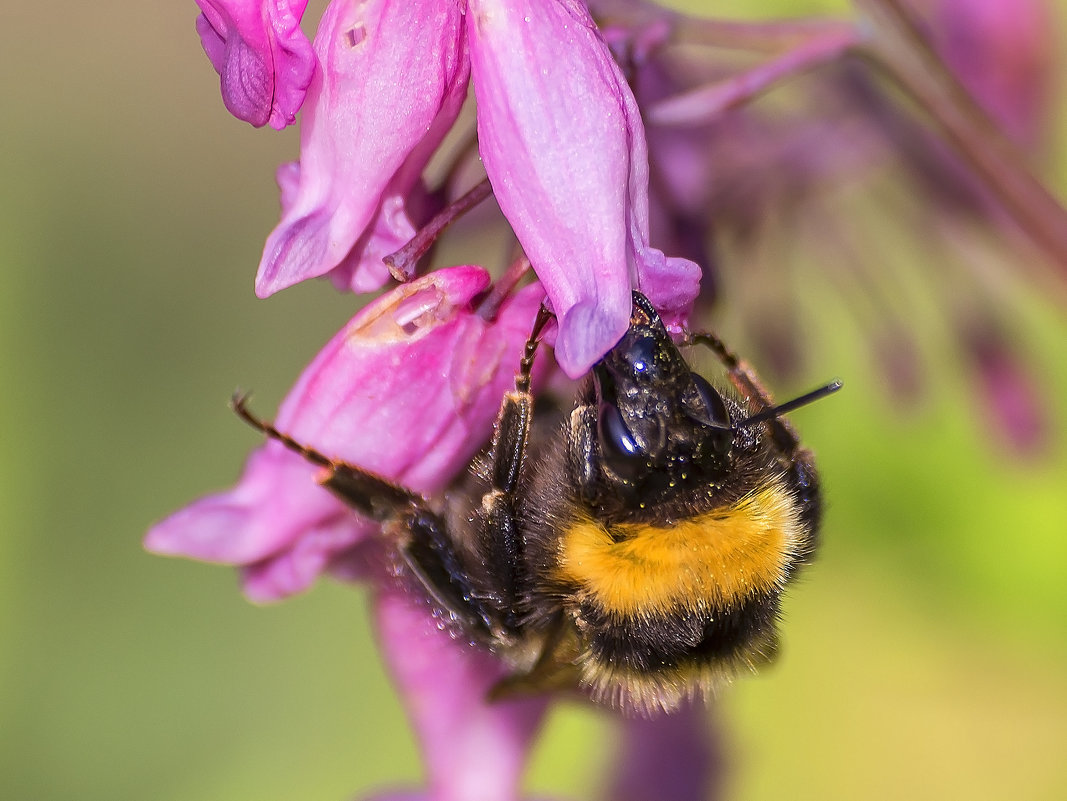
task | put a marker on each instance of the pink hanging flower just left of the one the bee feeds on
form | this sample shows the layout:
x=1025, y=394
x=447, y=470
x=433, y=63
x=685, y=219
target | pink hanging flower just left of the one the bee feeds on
x=394, y=76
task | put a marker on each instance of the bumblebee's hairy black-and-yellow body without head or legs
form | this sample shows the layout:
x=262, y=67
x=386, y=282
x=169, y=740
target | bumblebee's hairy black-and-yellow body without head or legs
x=667, y=598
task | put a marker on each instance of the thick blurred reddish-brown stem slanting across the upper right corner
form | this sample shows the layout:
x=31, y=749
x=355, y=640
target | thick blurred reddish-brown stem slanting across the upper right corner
x=898, y=45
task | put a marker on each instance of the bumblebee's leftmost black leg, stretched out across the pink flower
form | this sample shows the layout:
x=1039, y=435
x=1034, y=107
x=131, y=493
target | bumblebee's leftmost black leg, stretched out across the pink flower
x=423, y=540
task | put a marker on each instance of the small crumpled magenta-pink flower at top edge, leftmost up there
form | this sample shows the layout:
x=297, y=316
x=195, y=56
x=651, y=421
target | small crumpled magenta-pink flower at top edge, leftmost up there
x=264, y=59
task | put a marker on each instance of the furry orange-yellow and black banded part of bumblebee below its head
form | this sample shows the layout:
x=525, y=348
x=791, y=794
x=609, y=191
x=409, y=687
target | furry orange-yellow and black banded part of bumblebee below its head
x=670, y=610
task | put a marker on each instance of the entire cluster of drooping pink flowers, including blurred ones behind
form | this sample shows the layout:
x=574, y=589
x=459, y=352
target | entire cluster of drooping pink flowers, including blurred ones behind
x=562, y=92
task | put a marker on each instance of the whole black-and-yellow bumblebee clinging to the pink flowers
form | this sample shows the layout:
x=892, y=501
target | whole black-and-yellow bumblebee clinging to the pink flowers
x=634, y=549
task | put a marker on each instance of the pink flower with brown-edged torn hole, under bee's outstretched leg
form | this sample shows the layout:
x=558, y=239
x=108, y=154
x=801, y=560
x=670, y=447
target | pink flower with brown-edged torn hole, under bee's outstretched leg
x=408, y=390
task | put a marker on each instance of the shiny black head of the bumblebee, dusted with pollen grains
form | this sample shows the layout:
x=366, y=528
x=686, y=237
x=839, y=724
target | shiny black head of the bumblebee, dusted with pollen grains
x=658, y=423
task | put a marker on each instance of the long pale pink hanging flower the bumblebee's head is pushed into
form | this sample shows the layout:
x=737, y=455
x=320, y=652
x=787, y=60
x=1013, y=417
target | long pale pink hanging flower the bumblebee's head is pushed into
x=564, y=146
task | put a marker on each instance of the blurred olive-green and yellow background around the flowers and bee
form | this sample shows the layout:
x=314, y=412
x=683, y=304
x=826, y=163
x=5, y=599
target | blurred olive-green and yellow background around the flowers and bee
x=926, y=655
